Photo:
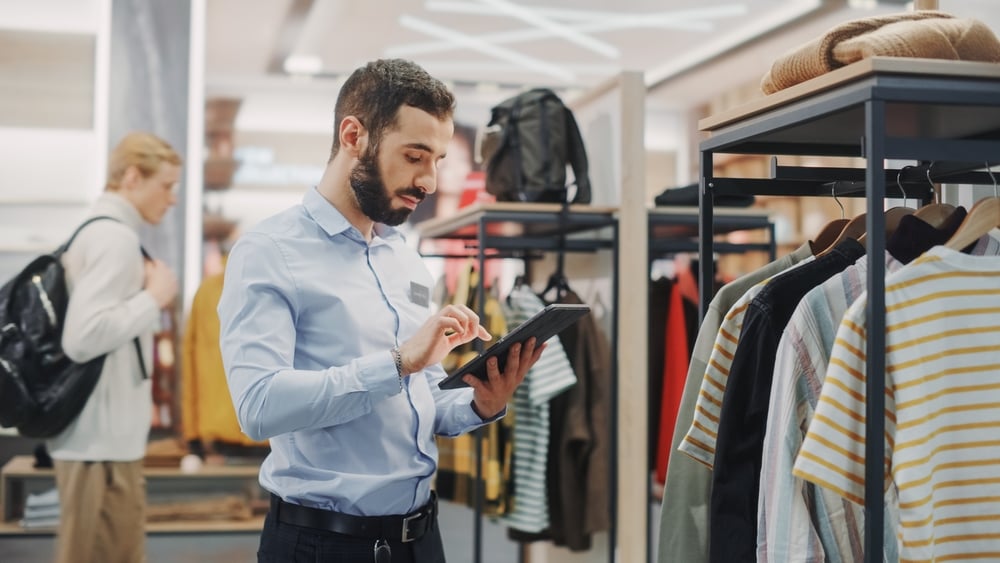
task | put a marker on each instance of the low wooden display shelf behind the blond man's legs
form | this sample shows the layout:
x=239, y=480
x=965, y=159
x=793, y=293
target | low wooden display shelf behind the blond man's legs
x=19, y=477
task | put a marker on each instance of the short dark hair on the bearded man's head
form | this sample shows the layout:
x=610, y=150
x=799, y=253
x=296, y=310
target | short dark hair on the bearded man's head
x=375, y=92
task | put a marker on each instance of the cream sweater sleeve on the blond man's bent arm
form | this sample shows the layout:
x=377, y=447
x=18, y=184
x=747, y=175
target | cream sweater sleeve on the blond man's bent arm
x=104, y=312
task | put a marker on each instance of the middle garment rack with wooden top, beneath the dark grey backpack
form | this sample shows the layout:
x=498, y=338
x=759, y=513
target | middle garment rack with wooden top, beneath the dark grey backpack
x=517, y=230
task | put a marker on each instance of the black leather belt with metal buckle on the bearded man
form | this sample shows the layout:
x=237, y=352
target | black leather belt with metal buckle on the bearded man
x=401, y=528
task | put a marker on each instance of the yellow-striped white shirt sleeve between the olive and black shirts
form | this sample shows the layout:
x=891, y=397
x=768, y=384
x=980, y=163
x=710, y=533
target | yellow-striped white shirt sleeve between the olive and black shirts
x=699, y=442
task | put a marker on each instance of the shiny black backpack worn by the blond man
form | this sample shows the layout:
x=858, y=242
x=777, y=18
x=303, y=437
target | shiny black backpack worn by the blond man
x=41, y=390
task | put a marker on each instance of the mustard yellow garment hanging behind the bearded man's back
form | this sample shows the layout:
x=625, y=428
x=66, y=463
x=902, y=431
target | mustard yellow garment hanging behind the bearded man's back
x=207, y=412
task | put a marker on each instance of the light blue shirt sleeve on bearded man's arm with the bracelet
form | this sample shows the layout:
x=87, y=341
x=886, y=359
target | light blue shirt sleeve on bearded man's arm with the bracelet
x=257, y=314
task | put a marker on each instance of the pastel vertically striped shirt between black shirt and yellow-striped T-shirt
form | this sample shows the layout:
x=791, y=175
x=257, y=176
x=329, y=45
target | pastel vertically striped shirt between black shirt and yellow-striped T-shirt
x=799, y=521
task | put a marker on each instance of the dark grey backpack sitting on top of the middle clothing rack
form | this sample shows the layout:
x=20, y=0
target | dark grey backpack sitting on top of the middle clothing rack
x=526, y=146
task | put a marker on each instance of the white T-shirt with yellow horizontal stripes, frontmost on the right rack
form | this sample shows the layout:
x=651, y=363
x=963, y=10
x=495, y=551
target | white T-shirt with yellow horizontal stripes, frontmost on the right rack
x=942, y=407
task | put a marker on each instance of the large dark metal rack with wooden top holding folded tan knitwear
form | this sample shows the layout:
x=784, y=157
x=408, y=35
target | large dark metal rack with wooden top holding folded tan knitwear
x=943, y=114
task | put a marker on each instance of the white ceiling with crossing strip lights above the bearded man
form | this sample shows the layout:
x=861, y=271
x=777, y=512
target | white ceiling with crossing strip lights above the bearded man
x=689, y=50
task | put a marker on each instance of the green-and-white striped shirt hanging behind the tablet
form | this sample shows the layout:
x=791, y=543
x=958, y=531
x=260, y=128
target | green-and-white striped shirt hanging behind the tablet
x=551, y=375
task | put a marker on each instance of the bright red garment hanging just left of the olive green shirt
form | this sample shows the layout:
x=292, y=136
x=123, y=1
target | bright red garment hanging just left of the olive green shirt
x=675, y=364
